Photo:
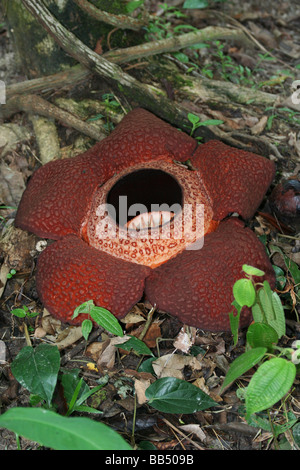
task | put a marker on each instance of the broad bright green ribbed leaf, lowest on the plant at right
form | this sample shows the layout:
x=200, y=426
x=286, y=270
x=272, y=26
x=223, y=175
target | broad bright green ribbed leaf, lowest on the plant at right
x=269, y=384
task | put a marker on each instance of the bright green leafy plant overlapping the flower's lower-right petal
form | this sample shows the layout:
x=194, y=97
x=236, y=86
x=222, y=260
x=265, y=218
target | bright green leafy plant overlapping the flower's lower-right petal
x=277, y=366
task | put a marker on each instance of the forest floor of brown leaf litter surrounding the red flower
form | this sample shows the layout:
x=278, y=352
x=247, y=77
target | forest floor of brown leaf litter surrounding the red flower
x=271, y=66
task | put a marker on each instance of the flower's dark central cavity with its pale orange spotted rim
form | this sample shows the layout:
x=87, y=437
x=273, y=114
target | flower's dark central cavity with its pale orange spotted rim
x=149, y=213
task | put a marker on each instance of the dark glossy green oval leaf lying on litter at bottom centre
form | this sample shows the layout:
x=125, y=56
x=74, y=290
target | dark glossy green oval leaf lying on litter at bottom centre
x=172, y=395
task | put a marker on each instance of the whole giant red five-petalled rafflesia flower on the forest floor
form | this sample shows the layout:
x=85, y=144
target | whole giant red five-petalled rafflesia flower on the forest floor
x=129, y=218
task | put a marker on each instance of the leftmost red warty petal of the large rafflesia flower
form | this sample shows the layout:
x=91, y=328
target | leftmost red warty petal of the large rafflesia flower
x=56, y=198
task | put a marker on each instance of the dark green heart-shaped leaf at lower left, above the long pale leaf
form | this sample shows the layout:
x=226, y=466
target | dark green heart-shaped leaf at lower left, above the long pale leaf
x=36, y=369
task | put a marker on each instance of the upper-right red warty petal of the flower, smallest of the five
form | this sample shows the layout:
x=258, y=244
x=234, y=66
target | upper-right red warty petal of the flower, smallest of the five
x=235, y=179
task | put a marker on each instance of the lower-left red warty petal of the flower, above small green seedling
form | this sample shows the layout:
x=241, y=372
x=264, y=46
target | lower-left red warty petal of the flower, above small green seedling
x=70, y=272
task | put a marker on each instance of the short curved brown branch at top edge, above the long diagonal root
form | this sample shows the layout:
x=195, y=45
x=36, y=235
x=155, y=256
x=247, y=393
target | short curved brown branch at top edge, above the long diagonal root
x=121, y=21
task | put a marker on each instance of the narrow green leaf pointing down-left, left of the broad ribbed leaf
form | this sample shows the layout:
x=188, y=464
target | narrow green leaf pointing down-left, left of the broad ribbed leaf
x=242, y=364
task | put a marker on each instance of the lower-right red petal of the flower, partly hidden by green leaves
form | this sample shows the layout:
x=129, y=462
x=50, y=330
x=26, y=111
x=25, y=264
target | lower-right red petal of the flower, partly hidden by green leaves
x=196, y=286
